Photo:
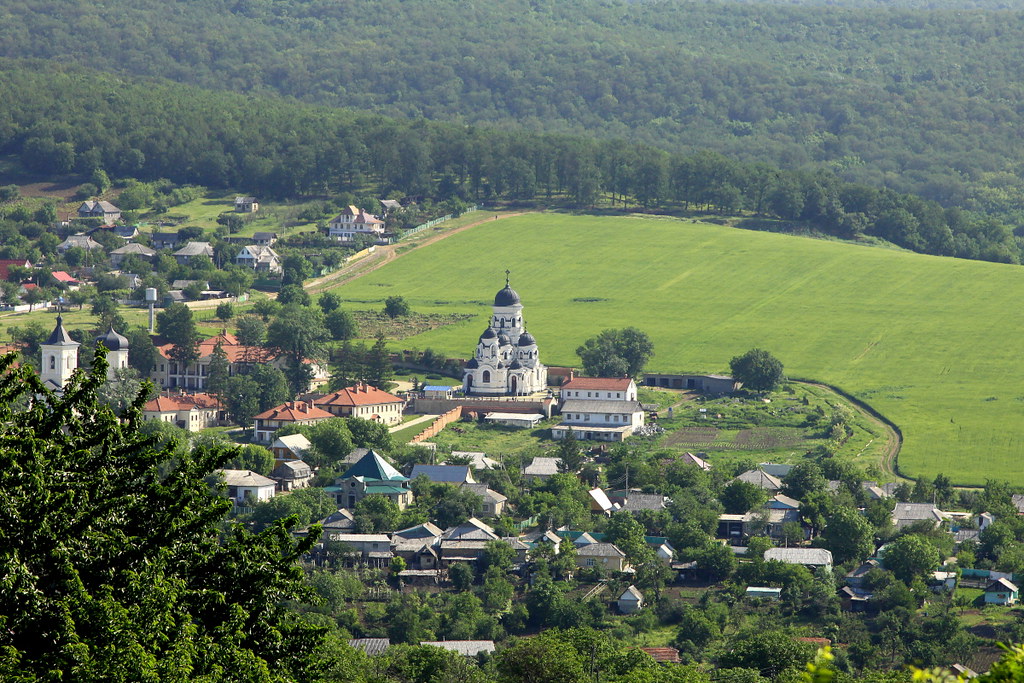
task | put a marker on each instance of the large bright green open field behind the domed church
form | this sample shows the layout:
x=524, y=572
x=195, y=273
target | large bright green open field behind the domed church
x=933, y=344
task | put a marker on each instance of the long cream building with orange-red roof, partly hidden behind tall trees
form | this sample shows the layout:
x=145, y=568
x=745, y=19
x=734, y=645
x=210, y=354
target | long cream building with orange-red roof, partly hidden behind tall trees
x=169, y=374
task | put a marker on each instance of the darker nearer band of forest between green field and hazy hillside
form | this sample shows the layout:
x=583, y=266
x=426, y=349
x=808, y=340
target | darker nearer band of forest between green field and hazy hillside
x=67, y=121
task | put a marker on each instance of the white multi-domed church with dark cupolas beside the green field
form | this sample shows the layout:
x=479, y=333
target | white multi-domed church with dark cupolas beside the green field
x=507, y=362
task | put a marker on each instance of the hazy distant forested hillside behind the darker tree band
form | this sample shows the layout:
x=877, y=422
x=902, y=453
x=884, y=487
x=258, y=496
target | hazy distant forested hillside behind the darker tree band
x=916, y=100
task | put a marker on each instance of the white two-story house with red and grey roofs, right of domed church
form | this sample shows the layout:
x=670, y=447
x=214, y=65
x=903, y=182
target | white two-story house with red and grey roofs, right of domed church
x=604, y=409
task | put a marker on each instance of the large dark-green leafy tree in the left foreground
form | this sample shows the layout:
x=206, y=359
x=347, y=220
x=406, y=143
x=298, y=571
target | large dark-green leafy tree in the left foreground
x=114, y=564
